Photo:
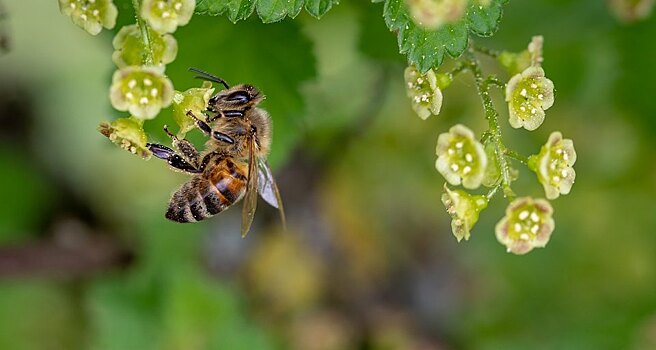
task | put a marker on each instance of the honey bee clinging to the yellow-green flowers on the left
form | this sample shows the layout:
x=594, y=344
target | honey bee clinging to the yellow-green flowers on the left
x=233, y=165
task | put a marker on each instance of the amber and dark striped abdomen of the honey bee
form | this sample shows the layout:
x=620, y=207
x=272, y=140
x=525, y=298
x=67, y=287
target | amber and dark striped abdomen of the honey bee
x=210, y=193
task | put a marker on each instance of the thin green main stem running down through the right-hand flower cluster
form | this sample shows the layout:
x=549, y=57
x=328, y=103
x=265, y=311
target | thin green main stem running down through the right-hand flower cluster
x=492, y=116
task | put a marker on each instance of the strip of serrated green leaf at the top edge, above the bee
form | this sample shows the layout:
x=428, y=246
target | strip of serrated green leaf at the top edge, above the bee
x=269, y=10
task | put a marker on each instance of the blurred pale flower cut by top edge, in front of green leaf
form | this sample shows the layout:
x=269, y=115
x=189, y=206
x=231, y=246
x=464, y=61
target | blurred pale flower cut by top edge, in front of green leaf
x=432, y=14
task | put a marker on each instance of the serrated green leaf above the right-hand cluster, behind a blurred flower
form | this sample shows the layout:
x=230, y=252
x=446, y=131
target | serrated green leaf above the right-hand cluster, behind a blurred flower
x=426, y=48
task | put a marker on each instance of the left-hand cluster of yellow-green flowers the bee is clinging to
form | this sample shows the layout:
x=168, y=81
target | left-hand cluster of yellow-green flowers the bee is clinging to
x=141, y=53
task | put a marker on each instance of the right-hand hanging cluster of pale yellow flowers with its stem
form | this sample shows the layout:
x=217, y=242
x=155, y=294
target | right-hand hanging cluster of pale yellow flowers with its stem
x=464, y=160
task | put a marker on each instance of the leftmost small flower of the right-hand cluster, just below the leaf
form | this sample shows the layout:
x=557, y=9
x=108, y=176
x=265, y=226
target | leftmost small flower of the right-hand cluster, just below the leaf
x=423, y=91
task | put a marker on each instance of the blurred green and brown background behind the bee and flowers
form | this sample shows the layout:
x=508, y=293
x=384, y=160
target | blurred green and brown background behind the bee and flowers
x=87, y=260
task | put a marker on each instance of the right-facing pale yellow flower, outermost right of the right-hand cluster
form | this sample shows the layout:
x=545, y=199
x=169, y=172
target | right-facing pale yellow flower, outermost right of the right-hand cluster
x=554, y=165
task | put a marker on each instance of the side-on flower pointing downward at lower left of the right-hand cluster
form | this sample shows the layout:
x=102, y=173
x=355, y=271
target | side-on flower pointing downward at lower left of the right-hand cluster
x=464, y=209
